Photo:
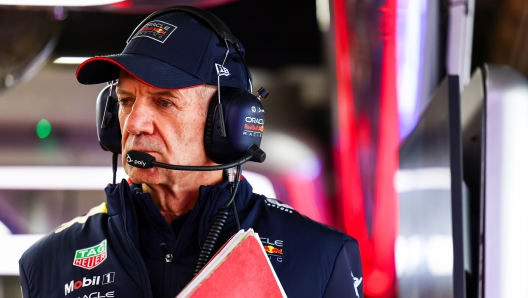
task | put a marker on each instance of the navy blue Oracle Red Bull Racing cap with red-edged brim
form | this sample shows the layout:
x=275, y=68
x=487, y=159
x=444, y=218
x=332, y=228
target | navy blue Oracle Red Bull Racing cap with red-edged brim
x=173, y=50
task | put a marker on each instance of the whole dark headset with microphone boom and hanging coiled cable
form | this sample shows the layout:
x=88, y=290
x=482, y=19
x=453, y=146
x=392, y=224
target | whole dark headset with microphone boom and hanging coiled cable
x=232, y=135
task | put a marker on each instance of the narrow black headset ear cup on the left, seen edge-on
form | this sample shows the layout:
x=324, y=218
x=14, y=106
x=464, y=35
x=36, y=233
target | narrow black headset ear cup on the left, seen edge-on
x=107, y=121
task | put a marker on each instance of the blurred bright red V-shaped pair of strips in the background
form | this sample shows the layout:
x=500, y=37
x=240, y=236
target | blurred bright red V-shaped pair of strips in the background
x=378, y=249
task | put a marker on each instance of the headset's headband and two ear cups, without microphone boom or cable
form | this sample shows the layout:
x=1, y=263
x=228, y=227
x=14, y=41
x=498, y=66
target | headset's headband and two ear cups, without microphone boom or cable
x=234, y=124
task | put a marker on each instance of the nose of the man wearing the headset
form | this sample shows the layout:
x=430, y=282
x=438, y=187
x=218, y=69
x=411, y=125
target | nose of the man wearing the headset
x=140, y=118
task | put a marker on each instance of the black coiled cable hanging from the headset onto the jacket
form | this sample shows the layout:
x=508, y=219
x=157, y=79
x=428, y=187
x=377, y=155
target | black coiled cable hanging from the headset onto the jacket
x=218, y=224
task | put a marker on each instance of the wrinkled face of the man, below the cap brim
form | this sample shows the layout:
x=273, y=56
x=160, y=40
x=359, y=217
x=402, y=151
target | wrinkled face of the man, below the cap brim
x=166, y=123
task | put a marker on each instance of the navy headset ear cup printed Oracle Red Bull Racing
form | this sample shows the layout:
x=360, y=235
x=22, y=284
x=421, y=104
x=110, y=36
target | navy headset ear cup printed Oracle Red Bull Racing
x=244, y=124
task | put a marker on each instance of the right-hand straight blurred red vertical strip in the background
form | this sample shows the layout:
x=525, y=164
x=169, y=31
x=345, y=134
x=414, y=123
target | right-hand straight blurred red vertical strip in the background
x=386, y=201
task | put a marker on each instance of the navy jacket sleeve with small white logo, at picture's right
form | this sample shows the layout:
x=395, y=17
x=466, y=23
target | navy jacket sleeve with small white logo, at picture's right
x=346, y=279
